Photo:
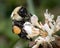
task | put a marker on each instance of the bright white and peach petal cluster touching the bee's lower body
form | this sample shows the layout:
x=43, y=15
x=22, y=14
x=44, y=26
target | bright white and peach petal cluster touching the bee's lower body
x=30, y=30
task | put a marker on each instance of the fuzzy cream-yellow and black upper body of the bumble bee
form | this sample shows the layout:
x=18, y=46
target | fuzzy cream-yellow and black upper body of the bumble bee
x=19, y=13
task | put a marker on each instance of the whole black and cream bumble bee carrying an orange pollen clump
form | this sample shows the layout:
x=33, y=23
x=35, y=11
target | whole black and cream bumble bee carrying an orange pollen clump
x=19, y=16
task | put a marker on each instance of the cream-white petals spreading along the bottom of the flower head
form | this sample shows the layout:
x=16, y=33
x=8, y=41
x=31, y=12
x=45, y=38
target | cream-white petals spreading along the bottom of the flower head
x=41, y=40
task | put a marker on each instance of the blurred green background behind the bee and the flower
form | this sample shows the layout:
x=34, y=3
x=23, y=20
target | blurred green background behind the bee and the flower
x=7, y=38
